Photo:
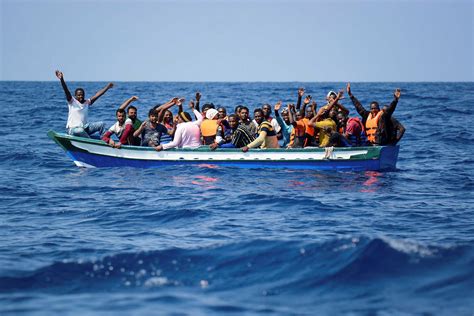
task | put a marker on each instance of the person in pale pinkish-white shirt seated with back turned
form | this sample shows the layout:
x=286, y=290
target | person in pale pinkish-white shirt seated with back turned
x=188, y=133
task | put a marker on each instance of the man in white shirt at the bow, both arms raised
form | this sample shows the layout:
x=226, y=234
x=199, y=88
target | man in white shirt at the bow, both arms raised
x=77, y=121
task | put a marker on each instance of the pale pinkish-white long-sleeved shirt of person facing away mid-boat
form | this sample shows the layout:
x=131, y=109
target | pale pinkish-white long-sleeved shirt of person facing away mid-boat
x=187, y=135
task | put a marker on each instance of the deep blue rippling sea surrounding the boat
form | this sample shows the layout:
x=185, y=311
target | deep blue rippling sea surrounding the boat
x=228, y=241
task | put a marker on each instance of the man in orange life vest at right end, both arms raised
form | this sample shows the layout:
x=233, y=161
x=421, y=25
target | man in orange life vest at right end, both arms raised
x=376, y=120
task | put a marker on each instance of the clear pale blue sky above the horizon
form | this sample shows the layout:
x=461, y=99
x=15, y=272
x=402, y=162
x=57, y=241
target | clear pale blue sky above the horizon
x=101, y=40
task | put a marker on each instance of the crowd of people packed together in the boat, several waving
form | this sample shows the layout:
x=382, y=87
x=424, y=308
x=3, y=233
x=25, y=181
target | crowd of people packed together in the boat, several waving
x=294, y=126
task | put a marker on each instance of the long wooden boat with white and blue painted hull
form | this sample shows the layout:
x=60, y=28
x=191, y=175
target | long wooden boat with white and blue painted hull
x=87, y=152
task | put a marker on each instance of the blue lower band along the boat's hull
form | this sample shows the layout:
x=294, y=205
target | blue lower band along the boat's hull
x=389, y=160
